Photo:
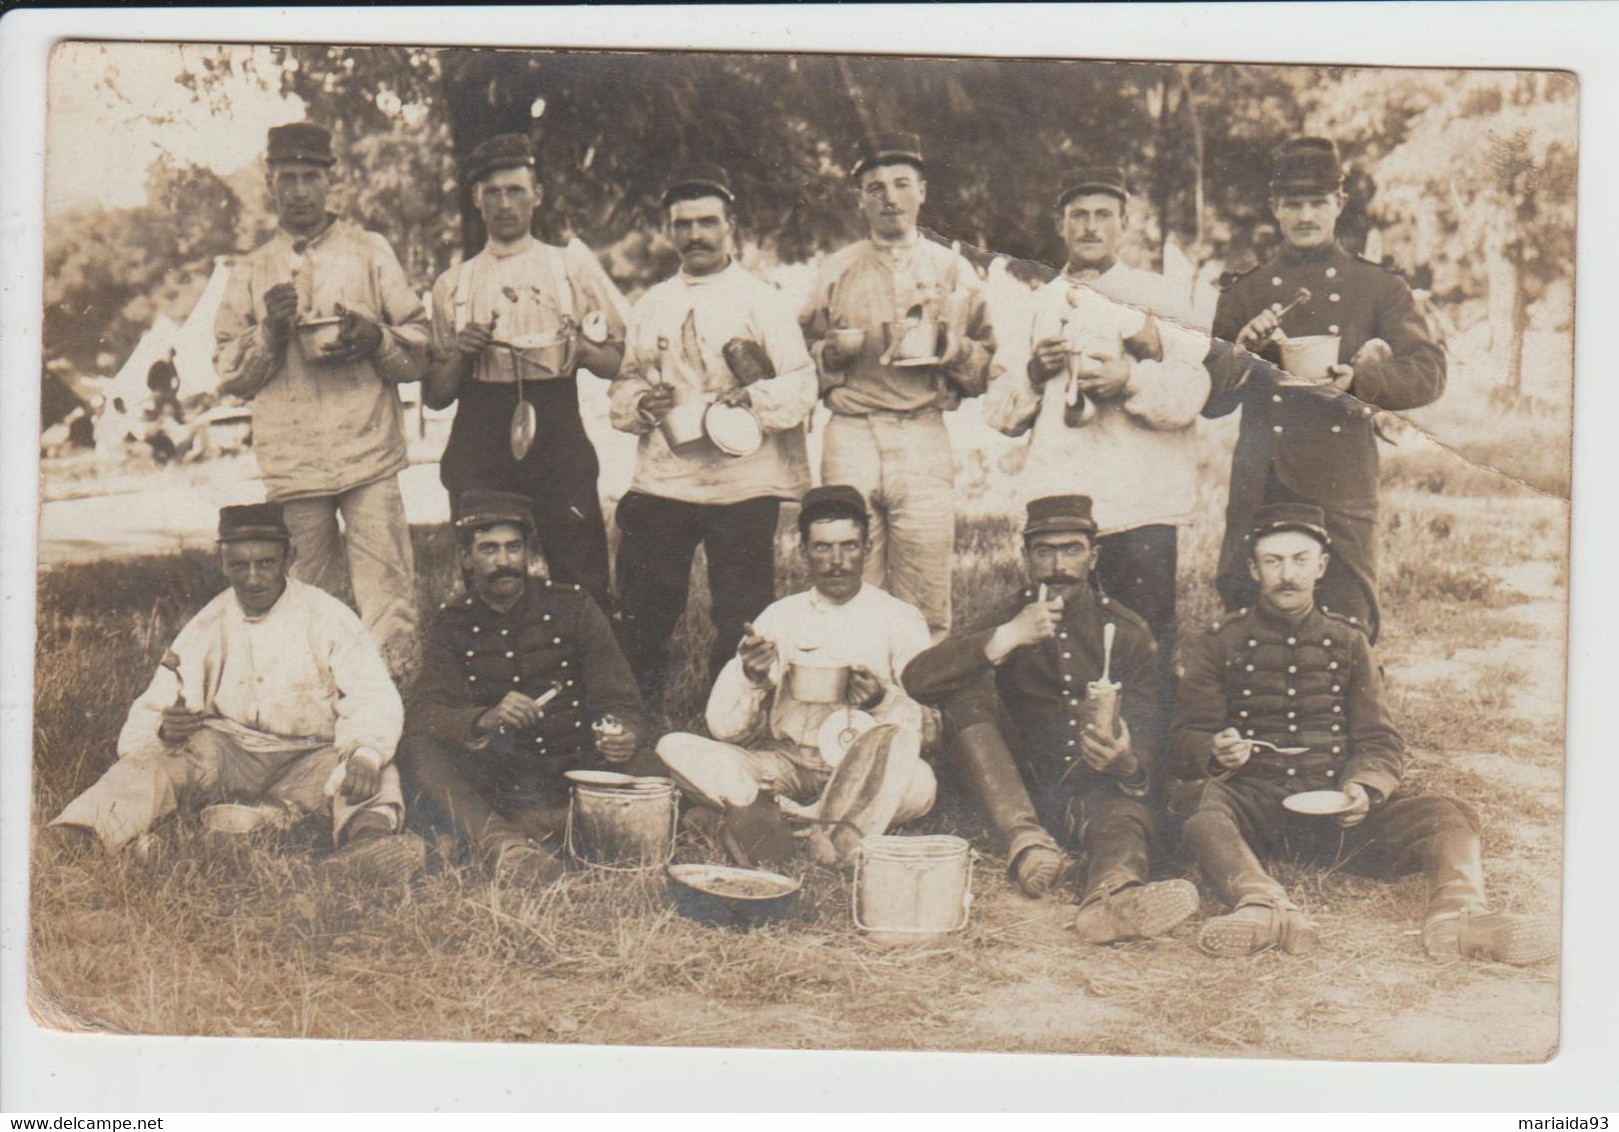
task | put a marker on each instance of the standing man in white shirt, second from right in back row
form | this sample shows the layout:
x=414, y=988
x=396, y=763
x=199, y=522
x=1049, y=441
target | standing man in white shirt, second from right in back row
x=1111, y=383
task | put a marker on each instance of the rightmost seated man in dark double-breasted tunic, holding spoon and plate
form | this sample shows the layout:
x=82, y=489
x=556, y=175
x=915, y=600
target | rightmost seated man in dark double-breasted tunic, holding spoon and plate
x=1285, y=699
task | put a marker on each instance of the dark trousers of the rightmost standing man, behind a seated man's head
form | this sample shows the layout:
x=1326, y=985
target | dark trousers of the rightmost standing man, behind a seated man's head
x=1348, y=587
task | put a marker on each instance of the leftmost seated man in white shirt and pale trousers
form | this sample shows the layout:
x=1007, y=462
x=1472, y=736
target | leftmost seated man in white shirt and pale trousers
x=273, y=694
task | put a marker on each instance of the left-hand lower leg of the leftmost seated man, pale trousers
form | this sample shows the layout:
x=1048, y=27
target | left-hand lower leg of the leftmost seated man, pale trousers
x=142, y=791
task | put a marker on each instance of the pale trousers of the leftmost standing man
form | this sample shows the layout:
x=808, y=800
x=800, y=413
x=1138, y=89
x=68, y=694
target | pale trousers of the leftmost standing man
x=372, y=553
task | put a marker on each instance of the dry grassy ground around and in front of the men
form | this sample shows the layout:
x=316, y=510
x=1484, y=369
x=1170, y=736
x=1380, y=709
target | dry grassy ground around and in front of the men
x=247, y=940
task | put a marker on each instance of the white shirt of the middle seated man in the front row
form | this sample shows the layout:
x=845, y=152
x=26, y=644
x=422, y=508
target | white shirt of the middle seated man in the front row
x=872, y=629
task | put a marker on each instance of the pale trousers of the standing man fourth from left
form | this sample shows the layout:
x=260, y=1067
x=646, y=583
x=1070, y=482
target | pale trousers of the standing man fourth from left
x=904, y=469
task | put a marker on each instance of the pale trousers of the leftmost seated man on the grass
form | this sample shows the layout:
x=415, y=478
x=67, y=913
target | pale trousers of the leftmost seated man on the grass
x=215, y=765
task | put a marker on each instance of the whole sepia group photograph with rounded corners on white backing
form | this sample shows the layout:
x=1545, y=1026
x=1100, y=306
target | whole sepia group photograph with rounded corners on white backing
x=804, y=551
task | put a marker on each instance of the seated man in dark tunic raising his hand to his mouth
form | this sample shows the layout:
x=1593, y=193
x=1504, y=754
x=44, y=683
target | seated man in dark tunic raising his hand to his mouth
x=1030, y=678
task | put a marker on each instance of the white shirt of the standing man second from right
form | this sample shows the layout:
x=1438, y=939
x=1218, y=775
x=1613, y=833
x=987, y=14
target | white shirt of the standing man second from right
x=1136, y=457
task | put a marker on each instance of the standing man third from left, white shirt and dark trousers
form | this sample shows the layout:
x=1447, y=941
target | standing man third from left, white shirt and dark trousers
x=713, y=334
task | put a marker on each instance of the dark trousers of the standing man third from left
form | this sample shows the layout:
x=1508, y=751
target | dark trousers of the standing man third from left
x=658, y=540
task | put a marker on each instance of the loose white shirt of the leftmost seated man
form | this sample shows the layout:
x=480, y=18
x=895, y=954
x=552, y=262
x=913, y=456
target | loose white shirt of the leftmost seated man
x=305, y=671
